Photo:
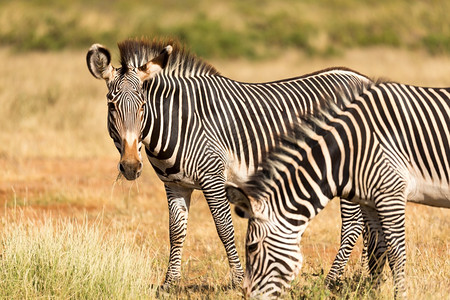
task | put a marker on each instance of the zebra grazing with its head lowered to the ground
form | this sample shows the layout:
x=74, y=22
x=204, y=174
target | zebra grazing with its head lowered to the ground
x=389, y=145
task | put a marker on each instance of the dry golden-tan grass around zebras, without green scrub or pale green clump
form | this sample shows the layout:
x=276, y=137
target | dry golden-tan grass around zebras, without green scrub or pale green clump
x=57, y=160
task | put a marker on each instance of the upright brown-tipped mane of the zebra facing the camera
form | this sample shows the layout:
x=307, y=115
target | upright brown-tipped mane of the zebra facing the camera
x=136, y=52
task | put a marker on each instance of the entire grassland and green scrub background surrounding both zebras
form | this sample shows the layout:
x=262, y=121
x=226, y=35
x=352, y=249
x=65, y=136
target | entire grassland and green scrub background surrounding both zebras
x=71, y=229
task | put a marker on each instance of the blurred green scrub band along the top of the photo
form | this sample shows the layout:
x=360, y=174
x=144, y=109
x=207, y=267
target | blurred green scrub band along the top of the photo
x=251, y=29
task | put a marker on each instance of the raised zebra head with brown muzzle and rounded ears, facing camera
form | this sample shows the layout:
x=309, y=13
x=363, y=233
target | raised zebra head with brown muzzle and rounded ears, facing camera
x=127, y=112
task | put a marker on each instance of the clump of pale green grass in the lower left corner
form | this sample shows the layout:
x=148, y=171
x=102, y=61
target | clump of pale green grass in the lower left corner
x=63, y=259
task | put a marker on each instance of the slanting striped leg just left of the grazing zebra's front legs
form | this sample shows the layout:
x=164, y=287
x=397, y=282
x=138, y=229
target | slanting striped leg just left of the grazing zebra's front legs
x=352, y=226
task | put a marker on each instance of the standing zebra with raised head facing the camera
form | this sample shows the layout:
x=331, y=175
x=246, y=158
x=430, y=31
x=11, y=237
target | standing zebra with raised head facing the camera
x=200, y=129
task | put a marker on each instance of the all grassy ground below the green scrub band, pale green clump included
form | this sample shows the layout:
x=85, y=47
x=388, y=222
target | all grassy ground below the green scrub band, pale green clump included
x=70, y=228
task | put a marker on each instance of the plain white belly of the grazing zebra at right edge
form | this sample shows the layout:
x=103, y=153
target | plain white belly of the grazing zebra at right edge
x=423, y=191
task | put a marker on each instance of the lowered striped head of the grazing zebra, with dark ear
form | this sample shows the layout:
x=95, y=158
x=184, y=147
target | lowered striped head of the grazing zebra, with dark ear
x=273, y=256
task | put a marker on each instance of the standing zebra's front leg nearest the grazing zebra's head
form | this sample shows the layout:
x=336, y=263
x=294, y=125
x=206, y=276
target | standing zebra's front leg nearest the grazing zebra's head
x=214, y=191
